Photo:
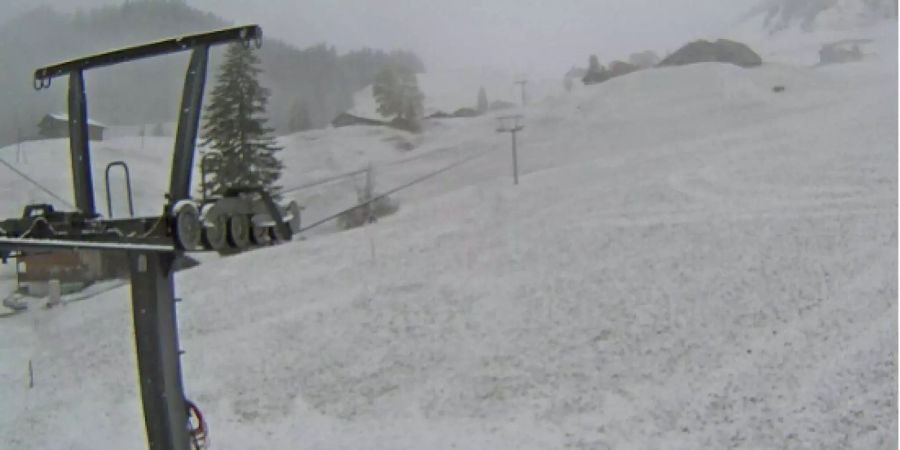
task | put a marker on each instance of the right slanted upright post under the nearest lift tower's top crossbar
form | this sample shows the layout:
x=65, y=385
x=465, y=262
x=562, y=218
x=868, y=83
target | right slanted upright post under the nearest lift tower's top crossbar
x=188, y=124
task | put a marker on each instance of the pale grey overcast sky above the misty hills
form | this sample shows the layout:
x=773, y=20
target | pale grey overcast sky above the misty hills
x=538, y=38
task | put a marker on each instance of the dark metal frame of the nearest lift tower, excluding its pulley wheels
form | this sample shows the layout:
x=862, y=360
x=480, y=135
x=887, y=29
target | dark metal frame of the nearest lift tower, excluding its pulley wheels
x=152, y=252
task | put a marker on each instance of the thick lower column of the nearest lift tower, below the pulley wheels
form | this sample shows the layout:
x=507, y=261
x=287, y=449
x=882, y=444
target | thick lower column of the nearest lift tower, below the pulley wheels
x=156, y=339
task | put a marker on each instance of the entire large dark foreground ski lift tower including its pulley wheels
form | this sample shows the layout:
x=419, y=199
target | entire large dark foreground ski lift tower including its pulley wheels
x=152, y=243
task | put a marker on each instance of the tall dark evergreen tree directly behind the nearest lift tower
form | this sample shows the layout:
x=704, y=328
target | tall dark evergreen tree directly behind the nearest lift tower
x=243, y=149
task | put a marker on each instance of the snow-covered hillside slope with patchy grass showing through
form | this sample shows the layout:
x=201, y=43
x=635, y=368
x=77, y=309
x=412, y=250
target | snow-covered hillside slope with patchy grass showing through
x=690, y=261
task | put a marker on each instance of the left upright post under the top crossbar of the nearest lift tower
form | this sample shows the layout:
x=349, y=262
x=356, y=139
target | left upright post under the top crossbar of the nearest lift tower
x=79, y=147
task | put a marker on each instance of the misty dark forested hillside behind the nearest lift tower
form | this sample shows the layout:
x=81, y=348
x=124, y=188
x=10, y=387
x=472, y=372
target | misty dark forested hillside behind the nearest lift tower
x=147, y=92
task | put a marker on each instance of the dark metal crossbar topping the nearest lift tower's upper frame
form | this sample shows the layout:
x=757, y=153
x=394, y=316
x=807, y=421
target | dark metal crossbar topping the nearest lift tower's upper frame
x=245, y=33
